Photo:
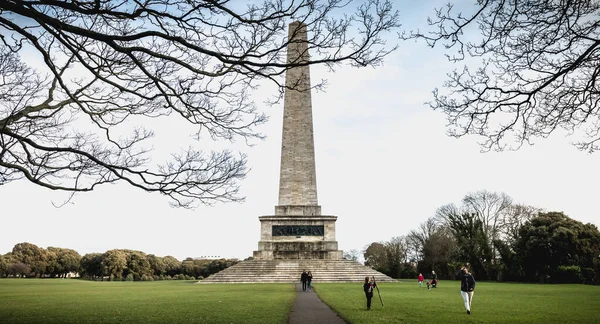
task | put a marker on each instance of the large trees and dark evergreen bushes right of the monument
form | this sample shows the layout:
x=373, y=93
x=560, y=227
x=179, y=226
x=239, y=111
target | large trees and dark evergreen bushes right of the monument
x=498, y=240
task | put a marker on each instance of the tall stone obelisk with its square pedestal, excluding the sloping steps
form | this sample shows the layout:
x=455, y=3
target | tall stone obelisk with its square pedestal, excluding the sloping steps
x=297, y=230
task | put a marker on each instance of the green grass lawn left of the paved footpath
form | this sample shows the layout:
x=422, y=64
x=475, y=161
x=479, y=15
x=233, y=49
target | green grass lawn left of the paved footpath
x=79, y=301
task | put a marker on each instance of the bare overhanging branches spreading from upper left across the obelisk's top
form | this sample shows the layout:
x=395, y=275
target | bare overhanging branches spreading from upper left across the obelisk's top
x=66, y=123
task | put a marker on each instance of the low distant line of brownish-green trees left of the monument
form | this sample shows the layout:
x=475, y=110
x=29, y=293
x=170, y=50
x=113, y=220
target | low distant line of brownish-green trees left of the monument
x=30, y=261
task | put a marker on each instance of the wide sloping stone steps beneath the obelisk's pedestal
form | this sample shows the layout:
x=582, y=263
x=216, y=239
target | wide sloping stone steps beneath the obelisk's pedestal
x=288, y=271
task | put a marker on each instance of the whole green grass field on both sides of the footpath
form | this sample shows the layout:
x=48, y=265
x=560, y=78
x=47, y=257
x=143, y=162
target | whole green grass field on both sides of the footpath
x=78, y=301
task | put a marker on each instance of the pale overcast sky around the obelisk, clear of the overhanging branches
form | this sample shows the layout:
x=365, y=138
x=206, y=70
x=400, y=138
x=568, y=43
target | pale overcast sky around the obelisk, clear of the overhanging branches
x=384, y=165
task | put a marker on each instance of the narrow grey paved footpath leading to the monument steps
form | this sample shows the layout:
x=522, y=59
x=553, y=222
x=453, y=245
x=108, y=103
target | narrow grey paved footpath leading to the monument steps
x=309, y=309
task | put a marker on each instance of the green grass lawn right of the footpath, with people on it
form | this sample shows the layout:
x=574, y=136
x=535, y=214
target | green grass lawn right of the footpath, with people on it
x=405, y=302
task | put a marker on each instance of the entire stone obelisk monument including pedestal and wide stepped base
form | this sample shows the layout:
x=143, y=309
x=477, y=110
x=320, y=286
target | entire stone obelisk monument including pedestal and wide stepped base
x=297, y=236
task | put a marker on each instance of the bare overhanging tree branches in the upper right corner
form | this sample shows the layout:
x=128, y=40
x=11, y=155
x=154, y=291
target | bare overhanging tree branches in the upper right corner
x=534, y=67
